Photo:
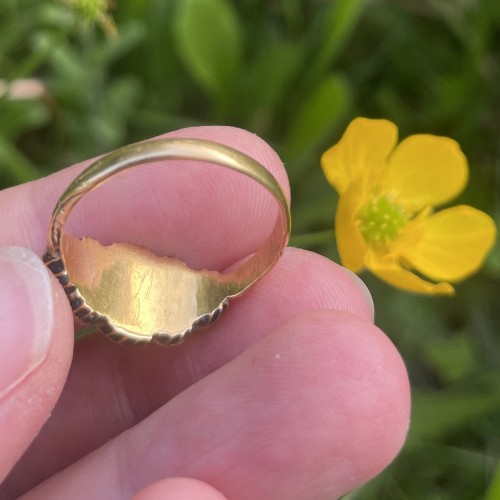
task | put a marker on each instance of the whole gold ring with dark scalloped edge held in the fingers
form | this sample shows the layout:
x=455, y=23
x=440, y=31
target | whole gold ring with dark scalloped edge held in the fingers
x=129, y=293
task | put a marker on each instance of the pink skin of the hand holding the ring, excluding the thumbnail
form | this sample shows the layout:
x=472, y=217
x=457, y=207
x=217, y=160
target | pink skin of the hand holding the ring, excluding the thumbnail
x=294, y=393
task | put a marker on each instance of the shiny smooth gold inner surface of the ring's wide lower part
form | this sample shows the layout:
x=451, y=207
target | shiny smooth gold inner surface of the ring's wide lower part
x=145, y=295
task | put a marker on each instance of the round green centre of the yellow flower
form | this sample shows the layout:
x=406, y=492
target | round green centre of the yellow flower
x=381, y=220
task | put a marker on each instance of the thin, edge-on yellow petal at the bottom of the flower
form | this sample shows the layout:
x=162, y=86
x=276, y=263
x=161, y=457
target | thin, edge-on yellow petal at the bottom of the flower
x=392, y=273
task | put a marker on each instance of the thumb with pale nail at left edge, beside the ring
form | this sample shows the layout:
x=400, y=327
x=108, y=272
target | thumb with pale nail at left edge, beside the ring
x=36, y=339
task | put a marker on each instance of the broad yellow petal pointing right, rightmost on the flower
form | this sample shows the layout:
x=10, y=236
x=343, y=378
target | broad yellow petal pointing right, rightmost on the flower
x=454, y=244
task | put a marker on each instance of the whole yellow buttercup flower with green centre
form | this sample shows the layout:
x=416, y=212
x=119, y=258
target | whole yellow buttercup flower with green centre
x=385, y=220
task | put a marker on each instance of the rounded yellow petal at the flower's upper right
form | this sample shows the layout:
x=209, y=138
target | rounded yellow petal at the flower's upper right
x=425, y=170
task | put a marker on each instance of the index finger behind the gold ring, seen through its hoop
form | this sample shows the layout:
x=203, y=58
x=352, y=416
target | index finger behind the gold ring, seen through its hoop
x=207, y=216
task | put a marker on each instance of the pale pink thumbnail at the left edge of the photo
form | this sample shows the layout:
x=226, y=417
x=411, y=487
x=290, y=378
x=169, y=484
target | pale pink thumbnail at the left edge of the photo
x=26, y=315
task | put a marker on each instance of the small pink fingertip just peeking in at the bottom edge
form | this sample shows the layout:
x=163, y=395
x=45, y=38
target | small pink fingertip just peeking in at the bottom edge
x=179, y=488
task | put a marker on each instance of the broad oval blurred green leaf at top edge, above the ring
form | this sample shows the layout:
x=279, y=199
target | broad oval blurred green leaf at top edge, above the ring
x=208, y=36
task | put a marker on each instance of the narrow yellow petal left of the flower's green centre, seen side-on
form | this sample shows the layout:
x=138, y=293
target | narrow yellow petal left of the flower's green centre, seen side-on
x=350, y=242
